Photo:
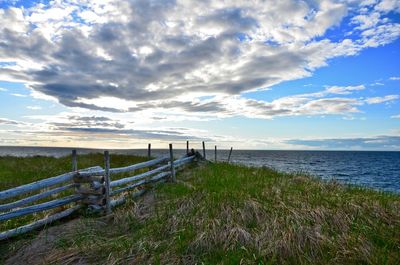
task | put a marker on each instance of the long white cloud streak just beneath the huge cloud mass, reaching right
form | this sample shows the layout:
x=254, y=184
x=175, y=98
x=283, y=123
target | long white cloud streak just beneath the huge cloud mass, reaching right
x=329, y=101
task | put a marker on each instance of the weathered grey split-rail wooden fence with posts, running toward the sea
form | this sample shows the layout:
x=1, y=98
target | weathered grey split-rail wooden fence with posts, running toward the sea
x=93, y=188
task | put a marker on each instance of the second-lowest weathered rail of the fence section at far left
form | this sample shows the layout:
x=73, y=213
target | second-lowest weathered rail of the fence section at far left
x=40, y=207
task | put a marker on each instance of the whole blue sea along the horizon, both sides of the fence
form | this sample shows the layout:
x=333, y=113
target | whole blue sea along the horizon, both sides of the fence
x=378, y=170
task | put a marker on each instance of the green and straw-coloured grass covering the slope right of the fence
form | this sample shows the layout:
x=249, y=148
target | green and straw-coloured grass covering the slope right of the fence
x=229, y=214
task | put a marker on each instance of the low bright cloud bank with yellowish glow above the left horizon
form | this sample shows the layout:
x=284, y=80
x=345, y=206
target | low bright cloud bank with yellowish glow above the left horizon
x=96, y=131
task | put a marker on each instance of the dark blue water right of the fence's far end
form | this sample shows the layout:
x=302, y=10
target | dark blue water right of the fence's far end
x=378, y=170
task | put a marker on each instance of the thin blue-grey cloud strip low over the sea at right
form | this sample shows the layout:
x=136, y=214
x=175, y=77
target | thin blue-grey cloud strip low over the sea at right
x=369, y=143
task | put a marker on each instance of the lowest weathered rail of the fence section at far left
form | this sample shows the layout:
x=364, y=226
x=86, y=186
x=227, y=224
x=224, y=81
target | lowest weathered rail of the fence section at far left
x=39, y=223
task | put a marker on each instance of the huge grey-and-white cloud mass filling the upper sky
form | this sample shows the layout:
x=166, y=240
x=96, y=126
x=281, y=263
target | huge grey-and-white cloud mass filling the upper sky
x=169, y=54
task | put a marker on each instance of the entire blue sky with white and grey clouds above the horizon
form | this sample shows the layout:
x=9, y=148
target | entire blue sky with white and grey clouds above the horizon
x=287, y=74
